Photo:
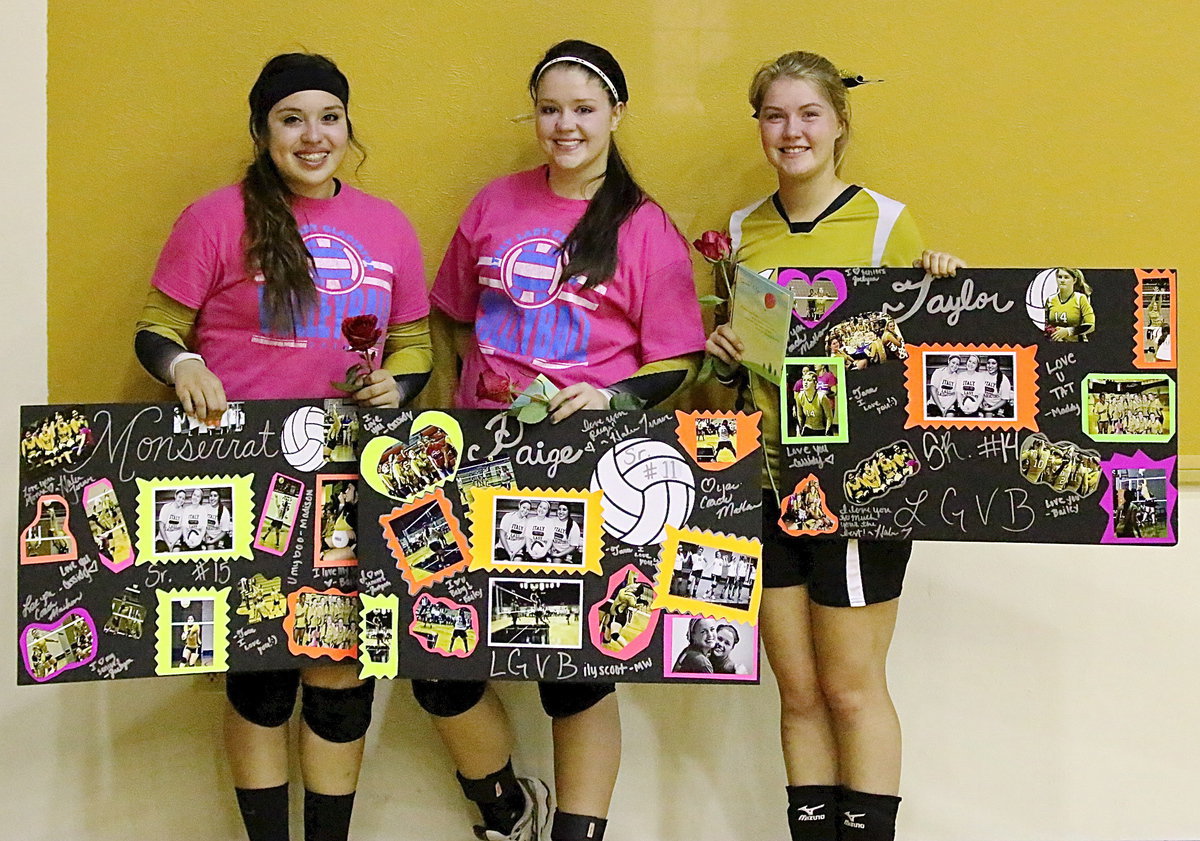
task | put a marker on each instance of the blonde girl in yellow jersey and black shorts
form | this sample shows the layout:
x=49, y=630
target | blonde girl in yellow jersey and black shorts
x=830, y=606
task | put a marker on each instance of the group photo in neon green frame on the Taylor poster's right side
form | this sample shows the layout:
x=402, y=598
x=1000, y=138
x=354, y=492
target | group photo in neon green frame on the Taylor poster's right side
x=1109, y=412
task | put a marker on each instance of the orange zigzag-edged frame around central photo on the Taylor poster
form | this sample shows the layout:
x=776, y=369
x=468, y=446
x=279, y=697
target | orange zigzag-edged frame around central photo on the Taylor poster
x=1025, y=389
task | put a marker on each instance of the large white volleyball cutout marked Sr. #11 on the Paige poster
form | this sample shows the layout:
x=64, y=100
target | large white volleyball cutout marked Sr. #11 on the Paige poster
x=647, y=486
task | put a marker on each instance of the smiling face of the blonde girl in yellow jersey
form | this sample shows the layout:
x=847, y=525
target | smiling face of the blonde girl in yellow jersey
x=800, y=130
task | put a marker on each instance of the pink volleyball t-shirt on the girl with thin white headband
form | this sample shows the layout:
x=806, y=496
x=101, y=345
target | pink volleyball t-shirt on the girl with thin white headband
x=503, y=273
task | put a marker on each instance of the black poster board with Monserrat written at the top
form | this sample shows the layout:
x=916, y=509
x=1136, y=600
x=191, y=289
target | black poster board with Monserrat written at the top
x=152, y=545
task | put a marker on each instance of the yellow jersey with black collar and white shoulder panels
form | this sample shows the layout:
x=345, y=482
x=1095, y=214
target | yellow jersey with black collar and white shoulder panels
x=860, y=229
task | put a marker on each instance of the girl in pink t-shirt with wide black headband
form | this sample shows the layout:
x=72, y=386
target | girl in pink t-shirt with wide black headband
x=248, y=302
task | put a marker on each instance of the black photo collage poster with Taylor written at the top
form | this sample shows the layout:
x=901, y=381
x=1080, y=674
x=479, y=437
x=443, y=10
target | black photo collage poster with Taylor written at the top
x=1003, y=405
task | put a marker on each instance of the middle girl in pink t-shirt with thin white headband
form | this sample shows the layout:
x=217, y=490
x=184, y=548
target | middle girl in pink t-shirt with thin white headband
x=573, y=273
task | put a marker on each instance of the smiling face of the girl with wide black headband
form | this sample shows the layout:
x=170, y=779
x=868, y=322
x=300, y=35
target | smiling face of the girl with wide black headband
x=307, y=137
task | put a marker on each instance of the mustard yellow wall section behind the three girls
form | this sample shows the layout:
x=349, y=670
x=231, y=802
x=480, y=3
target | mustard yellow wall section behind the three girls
x=1022, y=134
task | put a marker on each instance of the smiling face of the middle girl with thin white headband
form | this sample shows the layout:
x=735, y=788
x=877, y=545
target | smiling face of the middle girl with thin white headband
x=575, y=122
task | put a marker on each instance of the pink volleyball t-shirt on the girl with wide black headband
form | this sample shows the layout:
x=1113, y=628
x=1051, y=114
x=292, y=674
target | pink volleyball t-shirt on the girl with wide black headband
x=368, y=262
